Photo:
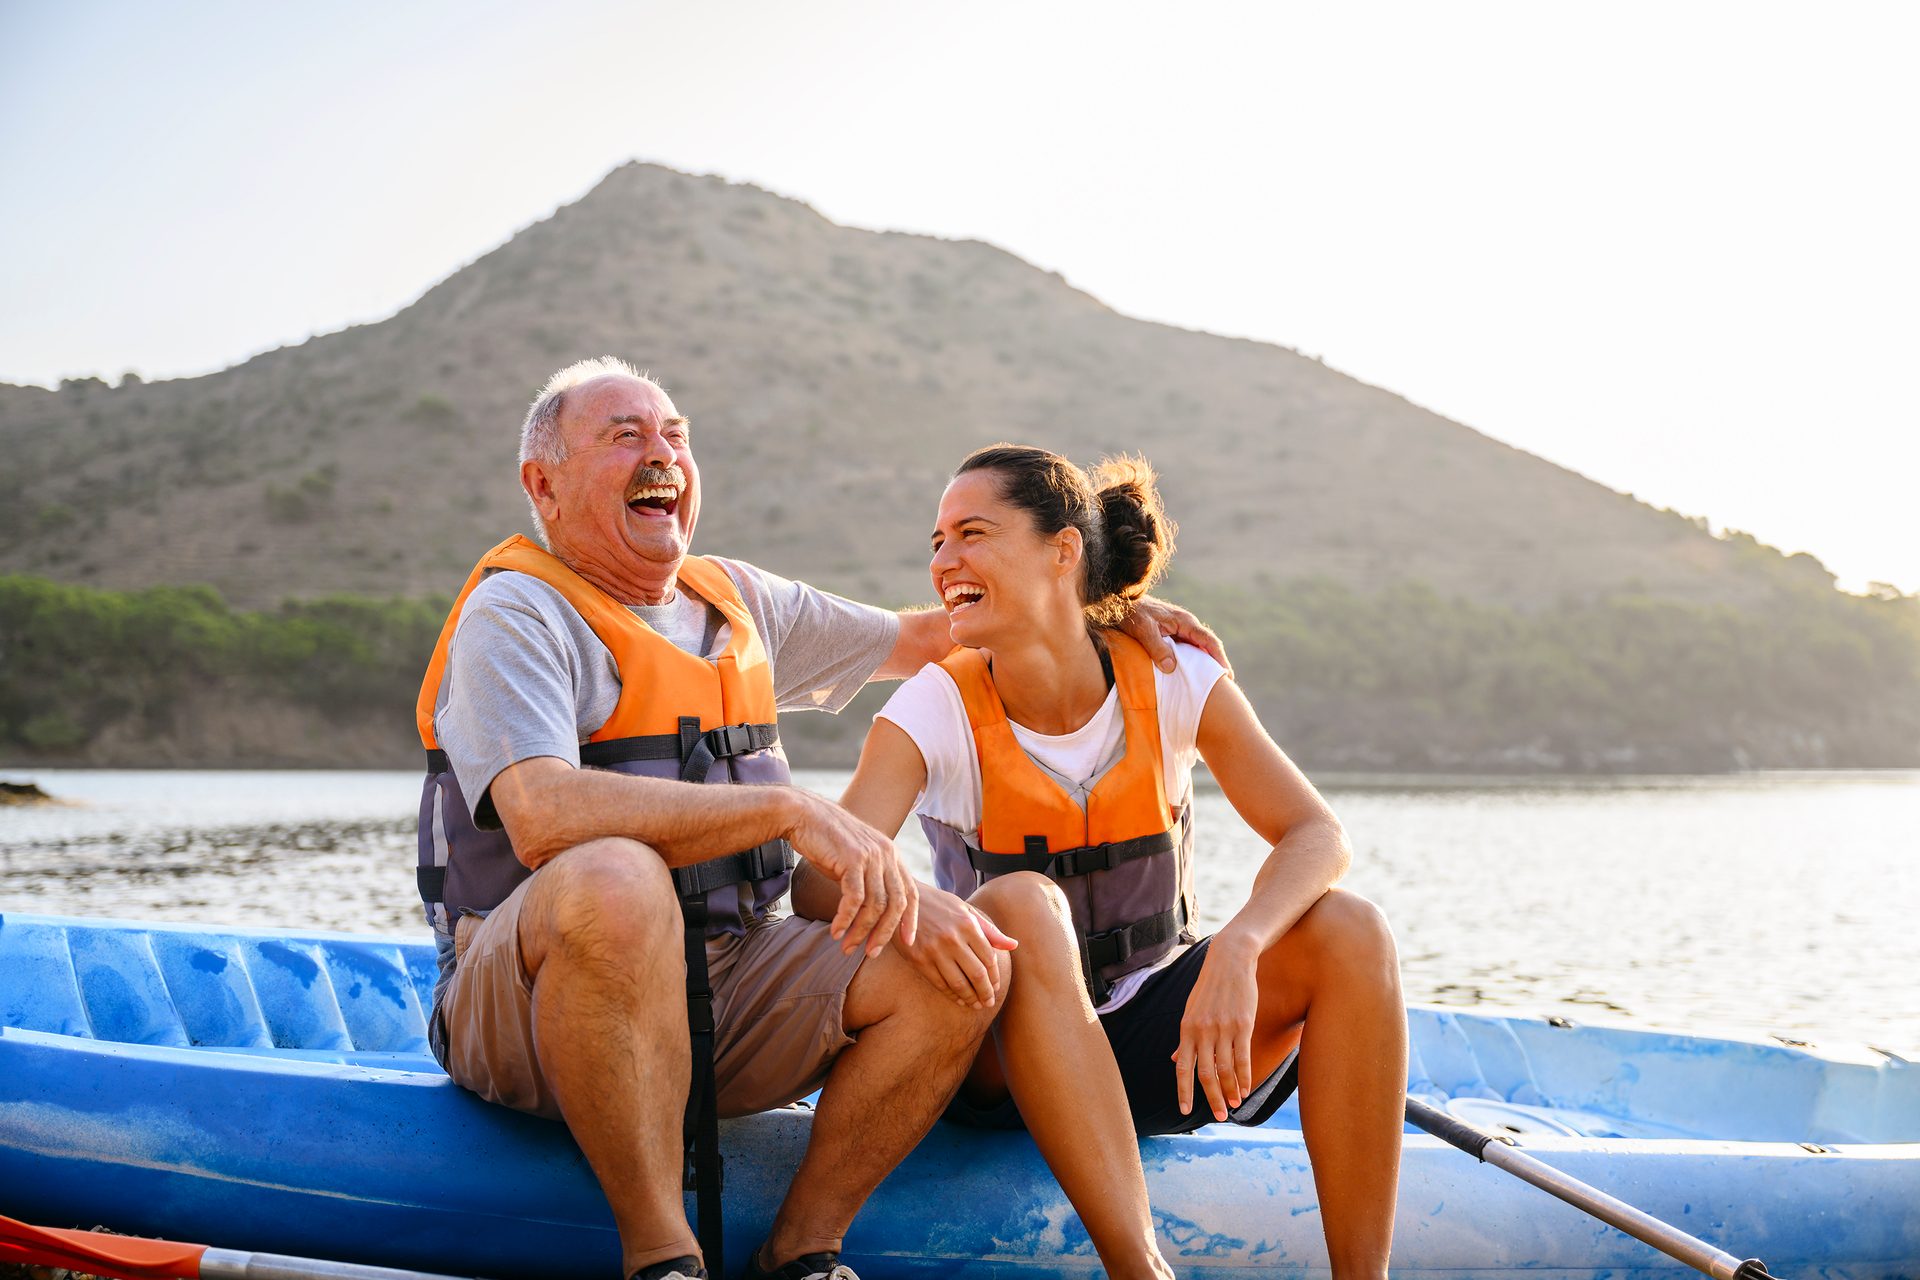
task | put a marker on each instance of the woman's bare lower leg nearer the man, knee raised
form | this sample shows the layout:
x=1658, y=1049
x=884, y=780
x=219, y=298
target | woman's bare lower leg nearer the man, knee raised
x=1080, y=1124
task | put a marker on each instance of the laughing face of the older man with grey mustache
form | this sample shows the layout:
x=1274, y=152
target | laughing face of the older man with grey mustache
x=627, y=494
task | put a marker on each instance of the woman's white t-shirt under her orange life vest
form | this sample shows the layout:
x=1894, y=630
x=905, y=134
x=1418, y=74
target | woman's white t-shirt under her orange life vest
x=928, y=709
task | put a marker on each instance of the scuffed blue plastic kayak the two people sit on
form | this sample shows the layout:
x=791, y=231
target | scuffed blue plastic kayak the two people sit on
x=272, y=1091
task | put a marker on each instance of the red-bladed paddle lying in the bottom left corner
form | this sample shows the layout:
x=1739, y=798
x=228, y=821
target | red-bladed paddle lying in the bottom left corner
x=132, y=1258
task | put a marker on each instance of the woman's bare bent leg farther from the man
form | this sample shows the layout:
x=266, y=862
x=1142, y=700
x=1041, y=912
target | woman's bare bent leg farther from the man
x=1332, y=985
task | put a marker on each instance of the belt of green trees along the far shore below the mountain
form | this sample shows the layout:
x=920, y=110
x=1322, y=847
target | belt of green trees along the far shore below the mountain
x=1401, y=680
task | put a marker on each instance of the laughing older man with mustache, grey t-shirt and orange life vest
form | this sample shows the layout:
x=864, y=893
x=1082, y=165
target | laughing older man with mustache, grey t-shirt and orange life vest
x=592, y=893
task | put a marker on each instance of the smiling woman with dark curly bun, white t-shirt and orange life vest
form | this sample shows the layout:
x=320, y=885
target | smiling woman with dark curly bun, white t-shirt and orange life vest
x=1047, y=746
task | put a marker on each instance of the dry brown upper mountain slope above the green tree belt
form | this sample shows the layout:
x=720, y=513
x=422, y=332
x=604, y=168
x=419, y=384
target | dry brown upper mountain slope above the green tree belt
x=834, y=379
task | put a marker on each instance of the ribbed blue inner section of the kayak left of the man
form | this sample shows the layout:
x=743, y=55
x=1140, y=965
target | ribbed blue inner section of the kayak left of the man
x=183, y=987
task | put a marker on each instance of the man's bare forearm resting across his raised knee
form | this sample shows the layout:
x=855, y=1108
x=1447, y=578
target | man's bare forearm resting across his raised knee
x=550, y=807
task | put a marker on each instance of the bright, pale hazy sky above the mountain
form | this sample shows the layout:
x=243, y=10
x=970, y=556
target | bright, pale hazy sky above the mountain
x=1668, y=245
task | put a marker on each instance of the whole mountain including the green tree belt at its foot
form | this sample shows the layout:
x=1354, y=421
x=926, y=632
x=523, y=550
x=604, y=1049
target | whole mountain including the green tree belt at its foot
x=199, y=561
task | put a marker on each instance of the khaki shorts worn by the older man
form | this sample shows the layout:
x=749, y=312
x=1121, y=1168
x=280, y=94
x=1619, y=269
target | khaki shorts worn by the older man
x=779, y=1012
